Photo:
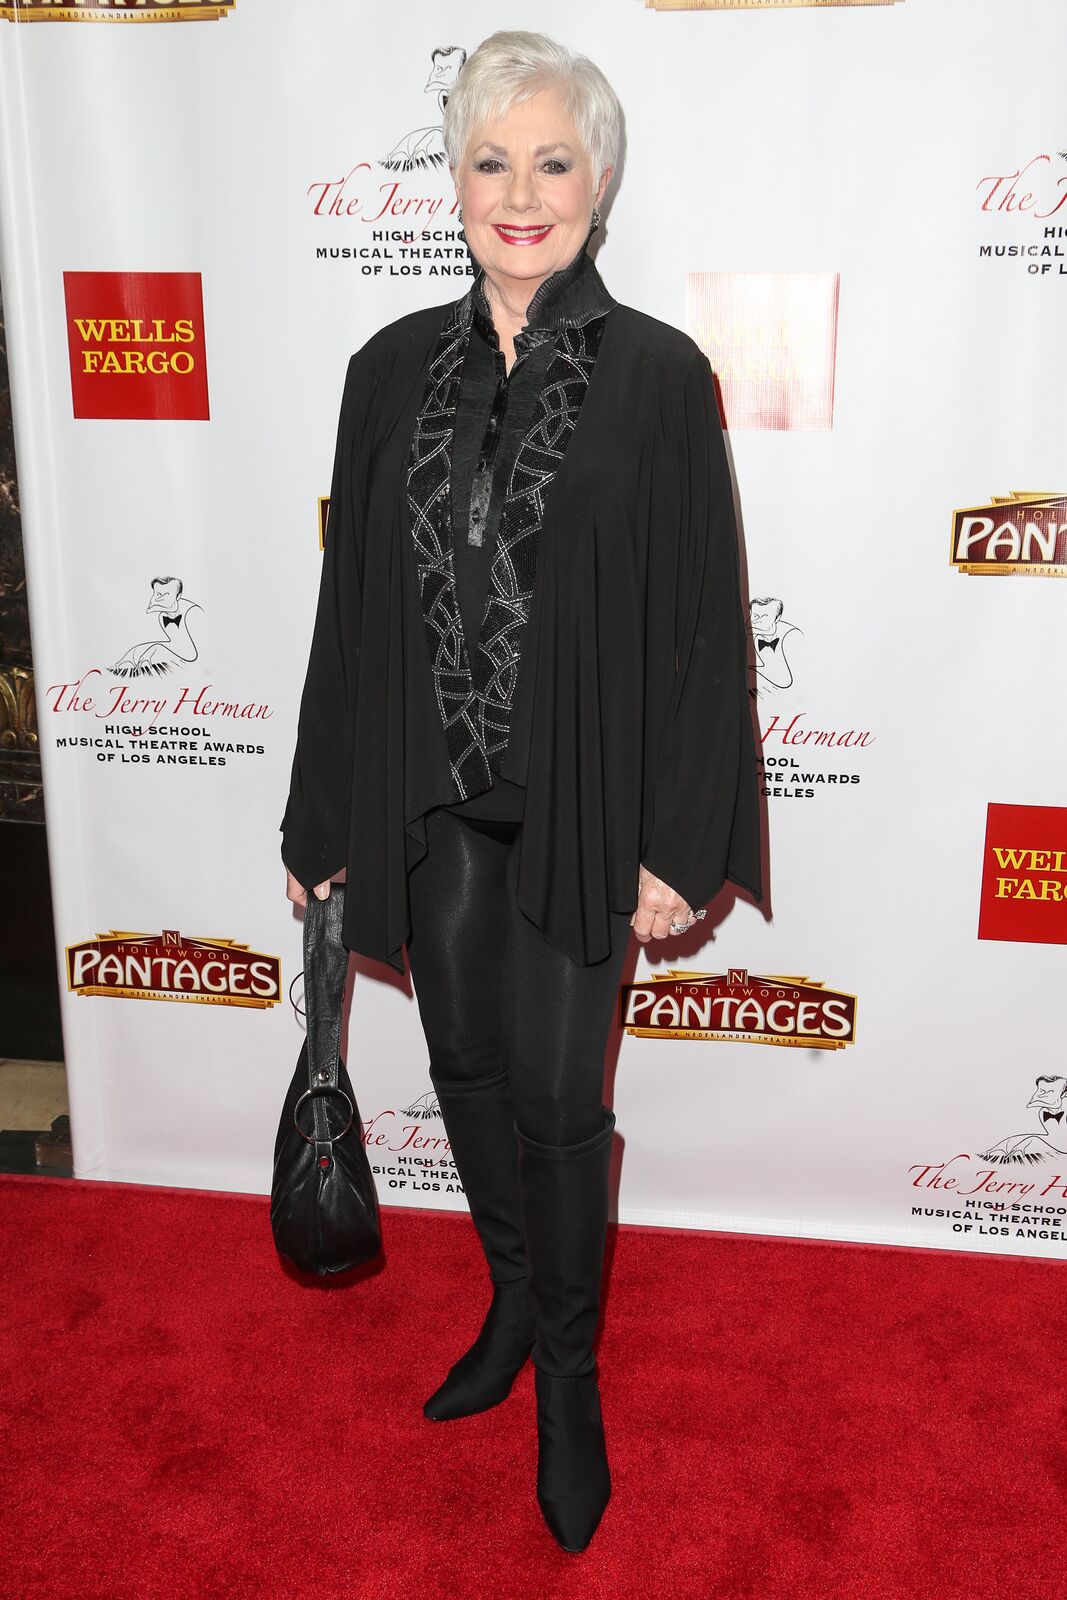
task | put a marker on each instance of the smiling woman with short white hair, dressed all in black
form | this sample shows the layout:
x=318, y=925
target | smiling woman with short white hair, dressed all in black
x=526, y=727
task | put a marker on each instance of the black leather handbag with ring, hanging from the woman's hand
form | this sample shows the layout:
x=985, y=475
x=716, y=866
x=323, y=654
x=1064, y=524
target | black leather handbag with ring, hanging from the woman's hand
x=324, y=1206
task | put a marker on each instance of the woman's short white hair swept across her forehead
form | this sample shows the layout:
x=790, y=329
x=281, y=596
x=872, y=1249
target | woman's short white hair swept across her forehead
x=510, y=68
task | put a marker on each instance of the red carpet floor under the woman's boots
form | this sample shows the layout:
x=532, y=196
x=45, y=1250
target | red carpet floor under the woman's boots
x=183, y=1420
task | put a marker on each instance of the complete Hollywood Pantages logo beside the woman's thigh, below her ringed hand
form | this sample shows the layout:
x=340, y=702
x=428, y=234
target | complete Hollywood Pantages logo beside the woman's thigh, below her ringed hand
x=770, y=1010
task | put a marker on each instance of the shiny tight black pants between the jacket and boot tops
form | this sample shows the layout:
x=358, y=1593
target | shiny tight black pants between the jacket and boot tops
x=492, y=991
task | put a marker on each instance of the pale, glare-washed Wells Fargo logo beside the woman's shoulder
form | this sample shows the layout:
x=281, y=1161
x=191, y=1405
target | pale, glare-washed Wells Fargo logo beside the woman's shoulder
x=772, y=340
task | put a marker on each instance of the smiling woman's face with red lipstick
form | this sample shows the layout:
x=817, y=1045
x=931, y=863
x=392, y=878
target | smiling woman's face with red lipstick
x=527, y=194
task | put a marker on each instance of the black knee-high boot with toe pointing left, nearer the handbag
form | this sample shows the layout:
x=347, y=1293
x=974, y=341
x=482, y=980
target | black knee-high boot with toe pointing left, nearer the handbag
x=481, y=1124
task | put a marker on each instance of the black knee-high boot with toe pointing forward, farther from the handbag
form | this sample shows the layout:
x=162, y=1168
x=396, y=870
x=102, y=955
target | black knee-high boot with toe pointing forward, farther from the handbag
x=565, y=1218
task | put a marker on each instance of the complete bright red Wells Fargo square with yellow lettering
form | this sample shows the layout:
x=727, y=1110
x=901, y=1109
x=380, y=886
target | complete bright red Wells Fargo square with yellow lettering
x=137, y=345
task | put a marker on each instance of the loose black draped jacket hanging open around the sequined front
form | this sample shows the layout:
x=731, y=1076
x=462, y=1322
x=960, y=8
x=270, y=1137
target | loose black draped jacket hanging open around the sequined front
x=631, y=724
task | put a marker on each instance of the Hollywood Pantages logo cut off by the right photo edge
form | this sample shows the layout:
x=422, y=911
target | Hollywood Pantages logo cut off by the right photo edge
x=1021, y=535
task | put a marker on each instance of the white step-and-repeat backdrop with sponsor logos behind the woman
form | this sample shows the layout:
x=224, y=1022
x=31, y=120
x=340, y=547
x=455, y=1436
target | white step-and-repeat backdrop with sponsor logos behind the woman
x=860, y=212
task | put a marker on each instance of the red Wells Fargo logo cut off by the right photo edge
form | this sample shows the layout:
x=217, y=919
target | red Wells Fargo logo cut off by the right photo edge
x=1025, y=874
